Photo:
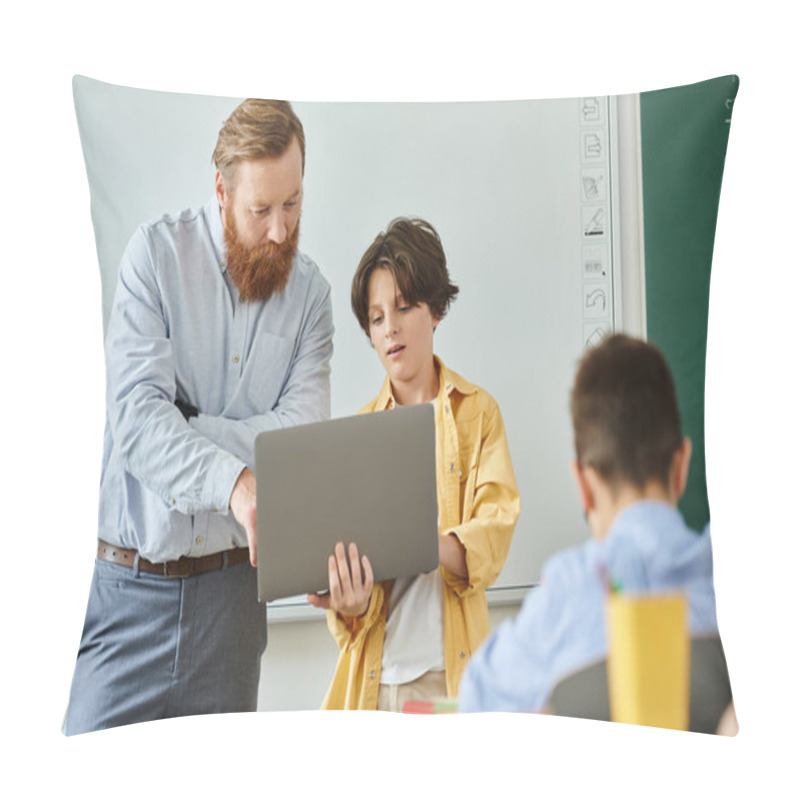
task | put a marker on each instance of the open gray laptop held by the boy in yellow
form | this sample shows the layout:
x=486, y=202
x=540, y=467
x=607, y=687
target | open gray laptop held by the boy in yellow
x=368, y=479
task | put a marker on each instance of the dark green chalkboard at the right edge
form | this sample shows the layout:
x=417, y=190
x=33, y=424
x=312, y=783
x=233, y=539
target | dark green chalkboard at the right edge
x=684, y=141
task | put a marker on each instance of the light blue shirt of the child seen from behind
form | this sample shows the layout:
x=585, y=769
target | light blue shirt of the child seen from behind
x=561, y=626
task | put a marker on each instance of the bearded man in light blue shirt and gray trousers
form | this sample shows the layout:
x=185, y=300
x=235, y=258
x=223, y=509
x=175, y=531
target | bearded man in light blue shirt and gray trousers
x=220, y=329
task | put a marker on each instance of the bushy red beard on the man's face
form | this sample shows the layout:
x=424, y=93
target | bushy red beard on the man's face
x=261, y=271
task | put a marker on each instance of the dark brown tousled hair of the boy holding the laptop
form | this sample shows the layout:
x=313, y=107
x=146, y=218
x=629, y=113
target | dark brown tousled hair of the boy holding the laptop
x=412, y=251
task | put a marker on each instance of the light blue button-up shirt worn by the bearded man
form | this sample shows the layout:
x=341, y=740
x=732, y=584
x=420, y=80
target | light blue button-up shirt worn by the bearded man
x=179, y=329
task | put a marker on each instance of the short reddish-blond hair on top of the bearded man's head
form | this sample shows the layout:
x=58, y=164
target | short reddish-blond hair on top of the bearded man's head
x=257, y=129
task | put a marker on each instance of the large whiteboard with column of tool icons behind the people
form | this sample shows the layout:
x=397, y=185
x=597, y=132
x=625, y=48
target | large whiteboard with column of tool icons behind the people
x=537, y=203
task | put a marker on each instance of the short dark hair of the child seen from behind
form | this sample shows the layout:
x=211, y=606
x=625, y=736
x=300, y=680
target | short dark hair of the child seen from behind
x=625, y=413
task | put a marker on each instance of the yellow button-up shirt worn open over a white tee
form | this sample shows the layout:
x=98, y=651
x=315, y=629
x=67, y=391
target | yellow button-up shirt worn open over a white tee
x=478, y=502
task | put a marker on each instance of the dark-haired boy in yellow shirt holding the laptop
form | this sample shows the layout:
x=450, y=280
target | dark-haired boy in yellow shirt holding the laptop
x=410, y=639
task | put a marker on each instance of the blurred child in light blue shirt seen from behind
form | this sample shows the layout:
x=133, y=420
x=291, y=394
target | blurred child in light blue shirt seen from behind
x=631, y=465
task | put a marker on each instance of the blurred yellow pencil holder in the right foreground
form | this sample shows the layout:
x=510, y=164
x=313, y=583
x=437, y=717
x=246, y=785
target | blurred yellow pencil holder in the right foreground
x=648, y=659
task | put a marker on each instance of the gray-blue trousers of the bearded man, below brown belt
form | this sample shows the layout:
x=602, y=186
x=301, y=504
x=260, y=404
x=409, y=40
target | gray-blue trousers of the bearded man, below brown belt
x=155, y=647
